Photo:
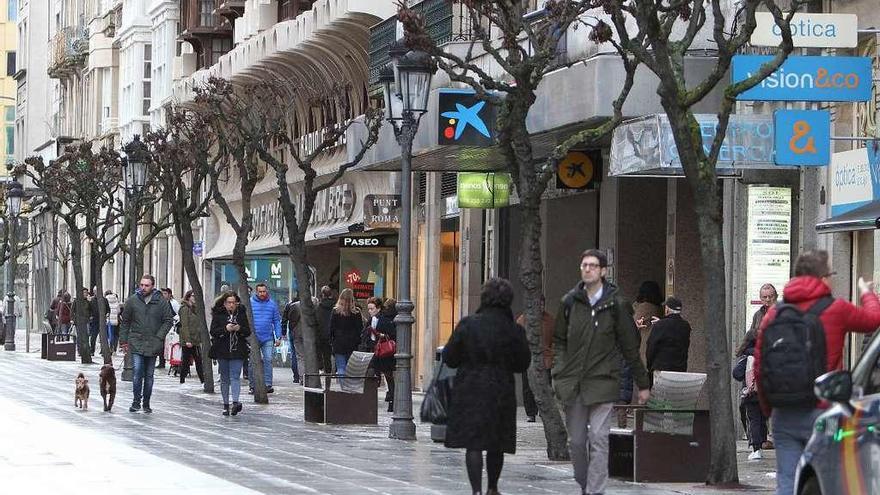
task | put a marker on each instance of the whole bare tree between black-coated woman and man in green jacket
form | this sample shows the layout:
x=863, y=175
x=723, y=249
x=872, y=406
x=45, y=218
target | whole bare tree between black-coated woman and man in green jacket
x=525, y=48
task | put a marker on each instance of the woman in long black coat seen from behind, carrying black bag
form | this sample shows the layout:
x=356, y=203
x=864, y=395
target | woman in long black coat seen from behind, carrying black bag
x=487, y=348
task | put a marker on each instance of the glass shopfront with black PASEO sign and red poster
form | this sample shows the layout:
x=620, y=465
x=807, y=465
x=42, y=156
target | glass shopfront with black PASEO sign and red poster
x=367, y=265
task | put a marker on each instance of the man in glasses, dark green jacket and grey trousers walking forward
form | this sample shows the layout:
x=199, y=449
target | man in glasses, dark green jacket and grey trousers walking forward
x=594, y=327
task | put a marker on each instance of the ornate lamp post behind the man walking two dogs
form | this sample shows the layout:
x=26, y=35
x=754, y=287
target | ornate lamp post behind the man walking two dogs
x=134, y=175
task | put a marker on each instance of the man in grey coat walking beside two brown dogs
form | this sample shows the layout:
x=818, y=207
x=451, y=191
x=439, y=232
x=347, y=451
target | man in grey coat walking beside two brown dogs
x=145, y=322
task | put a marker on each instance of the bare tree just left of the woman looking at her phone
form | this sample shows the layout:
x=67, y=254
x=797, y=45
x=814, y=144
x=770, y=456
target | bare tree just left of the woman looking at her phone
x=185, y=161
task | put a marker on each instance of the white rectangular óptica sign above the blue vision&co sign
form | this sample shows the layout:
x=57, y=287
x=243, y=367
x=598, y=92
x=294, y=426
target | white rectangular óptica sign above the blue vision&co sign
x=809, y=30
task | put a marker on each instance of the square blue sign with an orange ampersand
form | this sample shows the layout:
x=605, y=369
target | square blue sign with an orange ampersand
x=803, y=137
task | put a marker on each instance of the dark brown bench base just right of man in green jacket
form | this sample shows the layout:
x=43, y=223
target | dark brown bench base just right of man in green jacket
x=653, y=455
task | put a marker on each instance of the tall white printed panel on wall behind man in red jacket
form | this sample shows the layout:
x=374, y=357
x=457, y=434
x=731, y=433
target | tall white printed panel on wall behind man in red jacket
x=768, y=243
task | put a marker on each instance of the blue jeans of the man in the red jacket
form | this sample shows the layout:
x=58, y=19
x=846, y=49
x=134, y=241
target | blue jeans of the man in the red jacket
x=792, y=429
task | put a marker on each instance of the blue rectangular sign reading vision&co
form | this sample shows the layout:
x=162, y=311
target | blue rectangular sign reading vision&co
x=807, y=78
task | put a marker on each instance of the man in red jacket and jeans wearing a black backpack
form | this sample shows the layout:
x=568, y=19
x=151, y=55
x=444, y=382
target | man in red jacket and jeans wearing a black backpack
x=799, y=340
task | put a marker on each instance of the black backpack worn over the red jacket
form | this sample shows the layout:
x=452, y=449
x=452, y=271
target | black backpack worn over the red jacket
x=793, y=355
